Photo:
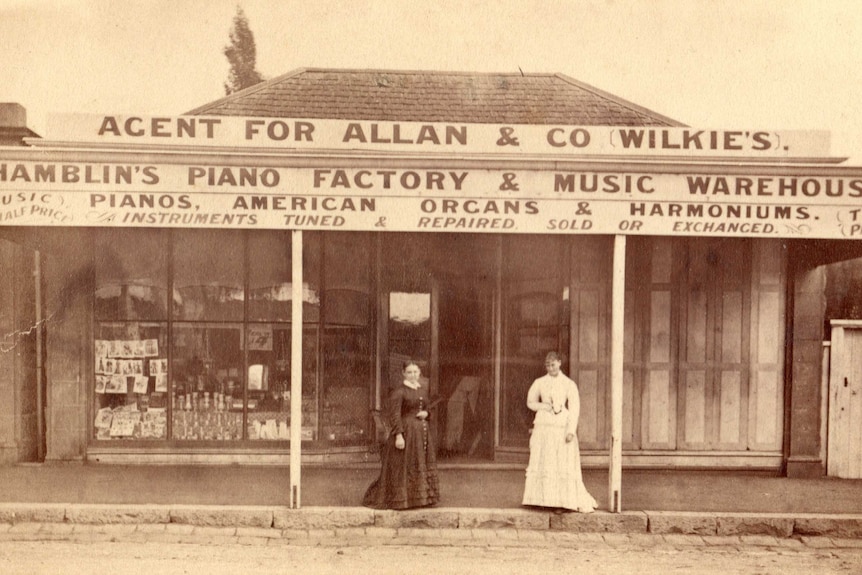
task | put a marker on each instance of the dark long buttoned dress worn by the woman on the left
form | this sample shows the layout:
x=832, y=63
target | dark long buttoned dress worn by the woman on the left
x=408, y=477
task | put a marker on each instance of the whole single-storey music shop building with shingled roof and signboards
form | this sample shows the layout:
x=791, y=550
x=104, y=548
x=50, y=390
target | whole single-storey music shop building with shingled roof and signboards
x=689, y=277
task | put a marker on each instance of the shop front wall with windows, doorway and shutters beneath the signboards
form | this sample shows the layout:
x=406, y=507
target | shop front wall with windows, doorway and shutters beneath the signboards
x=193, y=328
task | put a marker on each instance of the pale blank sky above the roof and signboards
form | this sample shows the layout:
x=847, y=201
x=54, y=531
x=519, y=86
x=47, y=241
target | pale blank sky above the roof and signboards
x=768, y=64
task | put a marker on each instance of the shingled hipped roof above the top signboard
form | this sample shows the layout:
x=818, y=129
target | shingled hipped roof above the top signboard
x=412, y=96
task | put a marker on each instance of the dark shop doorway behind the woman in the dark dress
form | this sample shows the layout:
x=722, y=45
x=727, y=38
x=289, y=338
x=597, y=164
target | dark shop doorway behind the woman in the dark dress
x=438, y=300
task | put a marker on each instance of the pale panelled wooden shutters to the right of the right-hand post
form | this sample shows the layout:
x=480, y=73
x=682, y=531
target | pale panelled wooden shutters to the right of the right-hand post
x=704, y=345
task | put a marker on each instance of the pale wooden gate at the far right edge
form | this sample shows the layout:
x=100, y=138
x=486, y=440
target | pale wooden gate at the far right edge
x=844, y=450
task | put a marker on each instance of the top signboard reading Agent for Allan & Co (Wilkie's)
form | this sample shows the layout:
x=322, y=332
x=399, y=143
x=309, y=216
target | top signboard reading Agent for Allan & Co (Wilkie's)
x=434, y=138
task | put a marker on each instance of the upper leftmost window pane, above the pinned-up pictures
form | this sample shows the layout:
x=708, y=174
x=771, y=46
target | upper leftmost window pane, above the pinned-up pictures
x=131, y=274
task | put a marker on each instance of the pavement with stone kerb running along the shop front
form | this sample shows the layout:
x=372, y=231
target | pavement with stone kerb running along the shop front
x=480, y=505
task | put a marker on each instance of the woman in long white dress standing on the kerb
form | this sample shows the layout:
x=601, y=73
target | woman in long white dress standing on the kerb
x=554, y=476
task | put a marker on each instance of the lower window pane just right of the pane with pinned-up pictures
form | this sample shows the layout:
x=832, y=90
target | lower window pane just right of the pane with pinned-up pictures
x=207, y=382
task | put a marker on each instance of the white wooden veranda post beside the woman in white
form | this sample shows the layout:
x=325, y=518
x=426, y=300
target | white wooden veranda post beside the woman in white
x=617, y=339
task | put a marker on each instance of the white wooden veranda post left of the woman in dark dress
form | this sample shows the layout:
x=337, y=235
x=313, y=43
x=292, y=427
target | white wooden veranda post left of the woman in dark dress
x=296, y=369
